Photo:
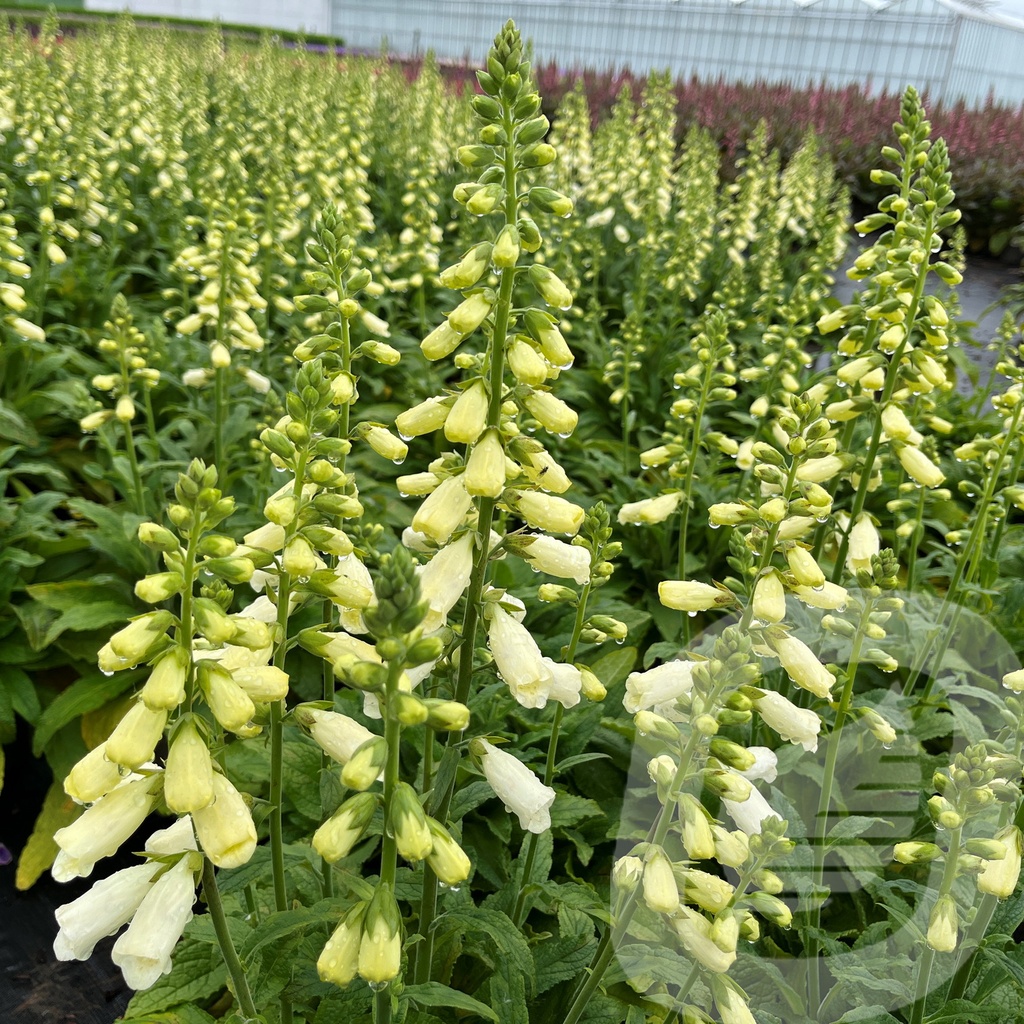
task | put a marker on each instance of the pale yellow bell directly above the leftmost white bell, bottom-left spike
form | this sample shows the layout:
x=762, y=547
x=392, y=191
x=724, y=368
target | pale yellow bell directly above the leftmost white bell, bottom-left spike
x=102, y=830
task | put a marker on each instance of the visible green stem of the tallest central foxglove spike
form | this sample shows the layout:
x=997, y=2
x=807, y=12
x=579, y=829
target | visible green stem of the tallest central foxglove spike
x=485, y=518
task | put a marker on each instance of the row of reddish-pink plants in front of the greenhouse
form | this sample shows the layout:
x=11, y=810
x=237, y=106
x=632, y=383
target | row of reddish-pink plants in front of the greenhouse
x=987, y=145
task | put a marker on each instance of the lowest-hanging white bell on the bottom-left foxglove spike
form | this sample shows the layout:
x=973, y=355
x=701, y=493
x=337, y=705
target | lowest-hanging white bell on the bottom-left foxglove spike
x=144, y=953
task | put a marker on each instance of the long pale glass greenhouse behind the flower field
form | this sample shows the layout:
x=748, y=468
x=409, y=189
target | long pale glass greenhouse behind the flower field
x=950, y=51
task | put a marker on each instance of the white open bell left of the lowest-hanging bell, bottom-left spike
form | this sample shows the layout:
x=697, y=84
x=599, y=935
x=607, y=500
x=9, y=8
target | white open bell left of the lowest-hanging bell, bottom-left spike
x=109, y=906
